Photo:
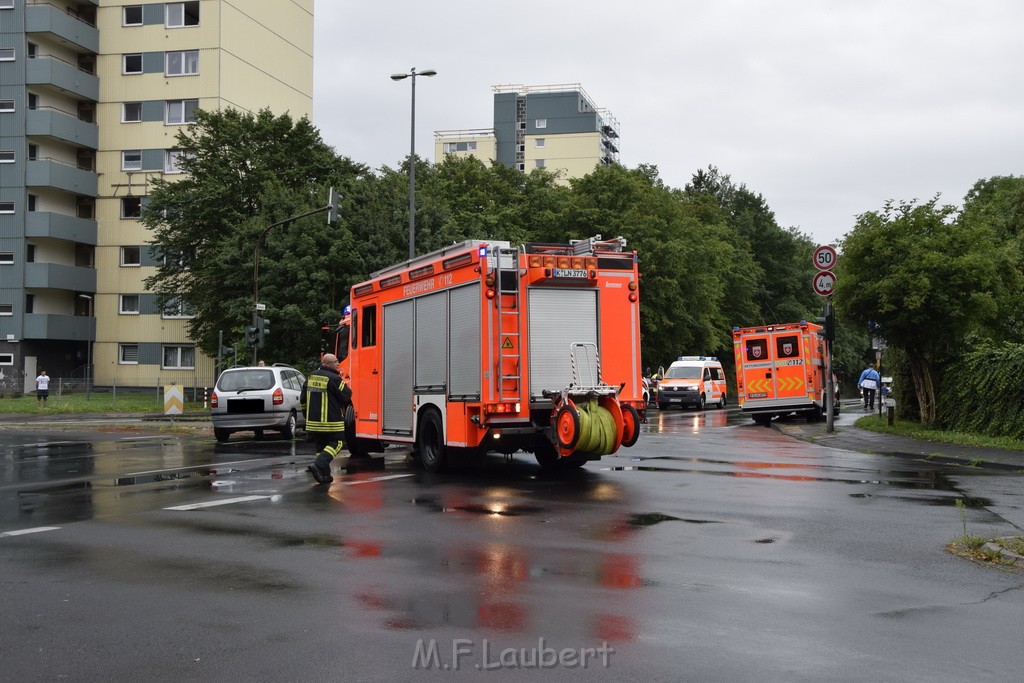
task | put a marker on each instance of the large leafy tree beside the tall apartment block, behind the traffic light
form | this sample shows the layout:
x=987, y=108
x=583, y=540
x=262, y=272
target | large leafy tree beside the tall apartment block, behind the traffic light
x=245, y=173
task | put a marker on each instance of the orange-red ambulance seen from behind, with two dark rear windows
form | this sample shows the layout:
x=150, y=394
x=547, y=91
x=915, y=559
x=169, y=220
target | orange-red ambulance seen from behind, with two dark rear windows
x=781, y=369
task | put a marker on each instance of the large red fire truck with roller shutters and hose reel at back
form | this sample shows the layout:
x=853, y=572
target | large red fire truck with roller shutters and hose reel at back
x=485, y=347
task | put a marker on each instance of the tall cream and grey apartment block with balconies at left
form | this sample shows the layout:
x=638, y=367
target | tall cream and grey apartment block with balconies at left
x=93, y=95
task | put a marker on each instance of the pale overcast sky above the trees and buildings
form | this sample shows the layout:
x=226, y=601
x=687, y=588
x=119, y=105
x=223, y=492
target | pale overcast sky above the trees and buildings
x=827, y=109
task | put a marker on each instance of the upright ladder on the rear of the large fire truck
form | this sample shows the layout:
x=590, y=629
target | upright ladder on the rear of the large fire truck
x=509, y=360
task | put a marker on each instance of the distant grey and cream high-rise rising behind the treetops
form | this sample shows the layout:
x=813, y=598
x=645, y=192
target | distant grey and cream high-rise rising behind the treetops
x=557, y=127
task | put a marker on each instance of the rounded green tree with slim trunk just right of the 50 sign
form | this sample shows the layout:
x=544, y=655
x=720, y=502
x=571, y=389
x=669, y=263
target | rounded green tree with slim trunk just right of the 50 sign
x=927, y=279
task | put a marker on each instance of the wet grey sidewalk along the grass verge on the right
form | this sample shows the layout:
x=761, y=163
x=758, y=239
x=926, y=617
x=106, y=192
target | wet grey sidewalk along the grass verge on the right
x=852, y=439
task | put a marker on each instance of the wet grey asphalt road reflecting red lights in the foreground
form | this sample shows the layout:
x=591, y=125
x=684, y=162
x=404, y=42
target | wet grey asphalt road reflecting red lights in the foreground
x=713, y=550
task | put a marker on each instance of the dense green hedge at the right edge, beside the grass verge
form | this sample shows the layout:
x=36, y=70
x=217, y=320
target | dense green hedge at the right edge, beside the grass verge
x=983, y=393
